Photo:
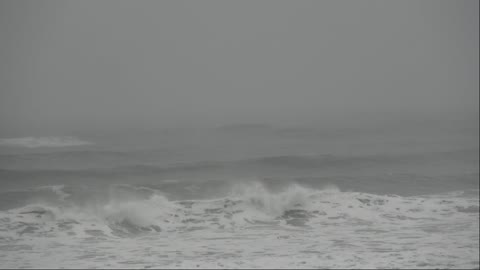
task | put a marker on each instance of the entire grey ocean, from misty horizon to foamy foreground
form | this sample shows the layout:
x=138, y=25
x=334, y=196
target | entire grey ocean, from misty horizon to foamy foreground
x=241, y=196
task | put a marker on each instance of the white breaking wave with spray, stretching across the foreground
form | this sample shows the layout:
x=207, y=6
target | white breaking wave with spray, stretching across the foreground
x=147, y=210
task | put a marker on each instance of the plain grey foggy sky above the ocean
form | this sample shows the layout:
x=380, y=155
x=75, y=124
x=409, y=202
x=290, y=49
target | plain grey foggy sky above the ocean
x=90, y=64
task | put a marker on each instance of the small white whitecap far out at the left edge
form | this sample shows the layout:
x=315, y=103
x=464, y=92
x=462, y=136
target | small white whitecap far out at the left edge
x=34, y=142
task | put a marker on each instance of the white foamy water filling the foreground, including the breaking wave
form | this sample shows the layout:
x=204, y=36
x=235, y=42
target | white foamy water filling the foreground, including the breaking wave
x=297, y=228
